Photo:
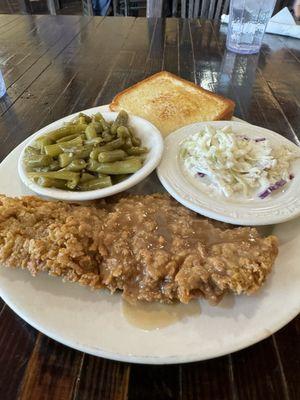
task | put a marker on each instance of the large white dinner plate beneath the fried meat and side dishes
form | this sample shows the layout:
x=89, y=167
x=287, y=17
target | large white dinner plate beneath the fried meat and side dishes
x=93, y=321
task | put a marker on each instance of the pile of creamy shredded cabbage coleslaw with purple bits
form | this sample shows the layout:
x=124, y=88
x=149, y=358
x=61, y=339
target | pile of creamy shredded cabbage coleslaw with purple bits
x=236, y=164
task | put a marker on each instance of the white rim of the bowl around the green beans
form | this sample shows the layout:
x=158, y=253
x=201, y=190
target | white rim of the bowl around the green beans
x=147, y=132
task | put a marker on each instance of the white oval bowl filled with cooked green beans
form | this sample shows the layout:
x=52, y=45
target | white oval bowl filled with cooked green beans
x=90, y=155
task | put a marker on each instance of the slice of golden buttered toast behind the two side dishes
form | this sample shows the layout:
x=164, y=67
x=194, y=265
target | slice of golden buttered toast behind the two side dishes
x=170, y=102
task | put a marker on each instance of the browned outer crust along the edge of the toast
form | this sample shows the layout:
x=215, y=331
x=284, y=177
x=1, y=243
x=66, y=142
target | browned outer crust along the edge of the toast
x=226, y=114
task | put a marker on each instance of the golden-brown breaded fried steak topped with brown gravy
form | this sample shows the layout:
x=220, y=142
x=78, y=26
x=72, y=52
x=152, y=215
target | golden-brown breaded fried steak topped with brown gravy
x=150, y=247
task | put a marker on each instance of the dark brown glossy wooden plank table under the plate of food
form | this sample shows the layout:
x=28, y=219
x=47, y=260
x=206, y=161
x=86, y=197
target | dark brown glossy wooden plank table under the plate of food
x=54, y=66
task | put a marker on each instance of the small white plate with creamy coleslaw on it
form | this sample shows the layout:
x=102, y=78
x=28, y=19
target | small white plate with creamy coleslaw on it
x=233, y=172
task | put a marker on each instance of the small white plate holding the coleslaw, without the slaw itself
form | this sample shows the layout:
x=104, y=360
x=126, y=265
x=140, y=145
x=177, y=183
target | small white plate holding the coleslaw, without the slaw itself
x=279, y=207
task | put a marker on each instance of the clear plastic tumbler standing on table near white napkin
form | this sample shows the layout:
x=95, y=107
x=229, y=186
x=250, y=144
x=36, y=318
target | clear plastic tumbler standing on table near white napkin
x=247, y=24
